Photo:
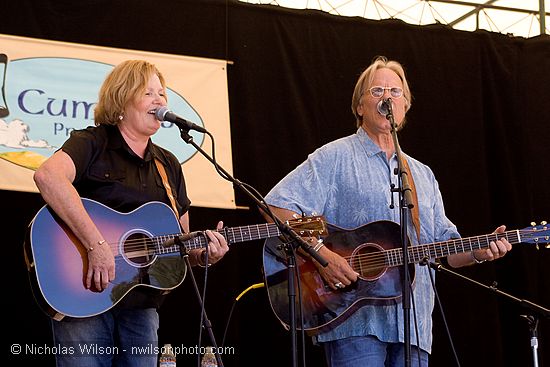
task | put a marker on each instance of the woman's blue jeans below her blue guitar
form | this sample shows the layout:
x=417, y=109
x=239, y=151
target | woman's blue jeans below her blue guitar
x=118, y=337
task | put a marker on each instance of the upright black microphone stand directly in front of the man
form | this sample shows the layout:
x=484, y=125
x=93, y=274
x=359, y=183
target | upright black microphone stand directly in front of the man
x=406, y=203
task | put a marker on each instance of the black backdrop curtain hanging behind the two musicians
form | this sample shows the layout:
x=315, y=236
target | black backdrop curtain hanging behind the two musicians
x=478, y=118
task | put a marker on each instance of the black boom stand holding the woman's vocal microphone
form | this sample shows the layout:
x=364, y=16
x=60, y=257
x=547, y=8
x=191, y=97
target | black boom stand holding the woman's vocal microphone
x=293, y=239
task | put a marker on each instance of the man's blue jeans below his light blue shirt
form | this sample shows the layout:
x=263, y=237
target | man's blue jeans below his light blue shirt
x=368, y=351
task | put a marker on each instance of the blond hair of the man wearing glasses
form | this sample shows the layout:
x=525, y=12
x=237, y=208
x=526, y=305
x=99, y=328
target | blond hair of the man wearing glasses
x=367, y=77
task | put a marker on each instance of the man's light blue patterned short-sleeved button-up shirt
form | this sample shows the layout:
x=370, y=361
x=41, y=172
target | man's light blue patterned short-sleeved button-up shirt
x=348, y=182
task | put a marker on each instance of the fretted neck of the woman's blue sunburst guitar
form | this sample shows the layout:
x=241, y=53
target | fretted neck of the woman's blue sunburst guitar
x=232, y=235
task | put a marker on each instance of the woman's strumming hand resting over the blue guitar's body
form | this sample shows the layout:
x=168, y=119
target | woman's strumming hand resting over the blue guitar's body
x=101, y=266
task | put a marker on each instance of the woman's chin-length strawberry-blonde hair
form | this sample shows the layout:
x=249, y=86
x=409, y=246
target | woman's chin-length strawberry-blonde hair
x=127, y=81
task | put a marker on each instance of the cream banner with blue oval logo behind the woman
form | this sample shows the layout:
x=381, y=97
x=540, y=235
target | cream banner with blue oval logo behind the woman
x=50, y=88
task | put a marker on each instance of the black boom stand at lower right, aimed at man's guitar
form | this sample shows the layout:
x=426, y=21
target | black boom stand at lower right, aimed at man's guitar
x=532, y=320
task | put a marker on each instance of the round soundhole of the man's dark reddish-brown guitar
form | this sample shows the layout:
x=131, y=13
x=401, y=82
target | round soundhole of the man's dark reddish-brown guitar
x=368, y=261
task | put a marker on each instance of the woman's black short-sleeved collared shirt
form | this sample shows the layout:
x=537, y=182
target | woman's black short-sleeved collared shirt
x=109, y=172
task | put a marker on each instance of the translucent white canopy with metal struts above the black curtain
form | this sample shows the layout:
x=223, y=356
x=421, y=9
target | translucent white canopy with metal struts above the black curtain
x=514, y=17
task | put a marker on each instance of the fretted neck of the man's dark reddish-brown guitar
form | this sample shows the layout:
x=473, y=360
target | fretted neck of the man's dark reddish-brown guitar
x=416, y=254
